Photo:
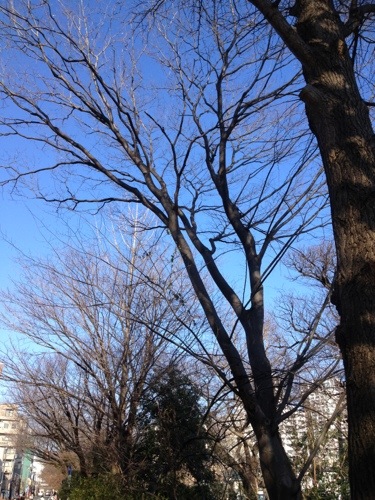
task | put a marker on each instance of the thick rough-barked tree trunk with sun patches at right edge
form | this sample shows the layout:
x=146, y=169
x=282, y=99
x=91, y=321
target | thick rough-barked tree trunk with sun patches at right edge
x=340, y=120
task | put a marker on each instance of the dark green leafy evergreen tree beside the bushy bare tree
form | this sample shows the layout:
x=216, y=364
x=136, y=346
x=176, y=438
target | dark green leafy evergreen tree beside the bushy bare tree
x=175, y=449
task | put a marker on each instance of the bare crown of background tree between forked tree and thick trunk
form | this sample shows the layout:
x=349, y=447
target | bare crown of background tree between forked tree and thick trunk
x=306, y=320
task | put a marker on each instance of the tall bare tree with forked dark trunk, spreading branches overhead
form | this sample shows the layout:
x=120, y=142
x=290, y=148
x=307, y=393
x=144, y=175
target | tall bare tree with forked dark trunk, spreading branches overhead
x=213, y=146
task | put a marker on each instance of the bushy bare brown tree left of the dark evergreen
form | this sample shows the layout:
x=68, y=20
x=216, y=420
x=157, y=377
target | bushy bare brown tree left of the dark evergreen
x=86, y=360
